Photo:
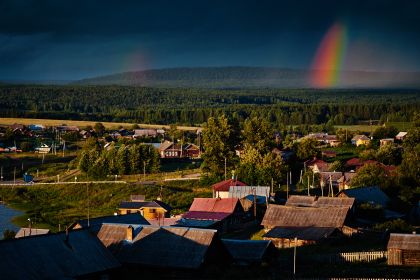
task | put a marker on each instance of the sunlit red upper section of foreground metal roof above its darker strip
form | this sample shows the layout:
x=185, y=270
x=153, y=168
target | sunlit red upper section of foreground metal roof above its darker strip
x=222, y=205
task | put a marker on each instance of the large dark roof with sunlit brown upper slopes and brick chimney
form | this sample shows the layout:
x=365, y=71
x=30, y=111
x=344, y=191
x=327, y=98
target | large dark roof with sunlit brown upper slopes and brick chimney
x=178, y=247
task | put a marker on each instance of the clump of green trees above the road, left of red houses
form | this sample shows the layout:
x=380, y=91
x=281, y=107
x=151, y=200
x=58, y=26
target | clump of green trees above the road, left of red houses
x=117, y=160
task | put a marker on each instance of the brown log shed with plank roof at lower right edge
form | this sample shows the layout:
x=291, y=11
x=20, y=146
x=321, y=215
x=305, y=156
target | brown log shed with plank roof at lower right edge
x=404, y=249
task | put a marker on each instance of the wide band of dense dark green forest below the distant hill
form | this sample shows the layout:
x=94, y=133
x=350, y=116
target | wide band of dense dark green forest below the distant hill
x=191, y=106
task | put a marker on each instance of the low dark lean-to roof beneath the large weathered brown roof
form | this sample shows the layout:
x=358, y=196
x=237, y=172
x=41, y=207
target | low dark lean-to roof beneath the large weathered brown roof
x=302, y=233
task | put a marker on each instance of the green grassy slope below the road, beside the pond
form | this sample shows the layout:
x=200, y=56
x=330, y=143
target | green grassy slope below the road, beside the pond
x=49, y=206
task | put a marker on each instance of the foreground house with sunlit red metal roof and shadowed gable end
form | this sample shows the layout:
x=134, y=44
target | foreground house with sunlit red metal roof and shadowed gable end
x=223, y=214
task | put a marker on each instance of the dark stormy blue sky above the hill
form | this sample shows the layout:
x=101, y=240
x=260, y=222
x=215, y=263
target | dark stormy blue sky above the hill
x=76, y=39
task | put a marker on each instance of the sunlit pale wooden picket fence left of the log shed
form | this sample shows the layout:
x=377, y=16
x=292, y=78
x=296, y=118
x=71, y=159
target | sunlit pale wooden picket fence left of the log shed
x=353, y=257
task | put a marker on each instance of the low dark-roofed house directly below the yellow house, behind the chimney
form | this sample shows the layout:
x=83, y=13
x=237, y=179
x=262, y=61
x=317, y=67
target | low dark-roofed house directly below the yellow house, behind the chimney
x=94, y=224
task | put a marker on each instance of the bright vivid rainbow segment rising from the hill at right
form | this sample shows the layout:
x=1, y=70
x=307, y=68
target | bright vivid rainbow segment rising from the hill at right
x=326, y=66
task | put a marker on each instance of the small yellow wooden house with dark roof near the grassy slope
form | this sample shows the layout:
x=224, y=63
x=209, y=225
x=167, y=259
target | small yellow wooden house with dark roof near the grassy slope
x=151, y=210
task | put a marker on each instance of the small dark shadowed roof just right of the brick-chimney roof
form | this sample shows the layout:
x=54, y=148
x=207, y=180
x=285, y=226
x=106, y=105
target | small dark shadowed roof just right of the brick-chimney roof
x=247, y=250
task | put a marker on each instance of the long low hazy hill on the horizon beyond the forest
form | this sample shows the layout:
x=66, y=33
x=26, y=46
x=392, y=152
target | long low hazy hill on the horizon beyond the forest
x=239, y=77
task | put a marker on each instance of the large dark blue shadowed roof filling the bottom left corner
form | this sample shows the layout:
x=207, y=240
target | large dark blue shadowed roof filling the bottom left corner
x=52, y=257
